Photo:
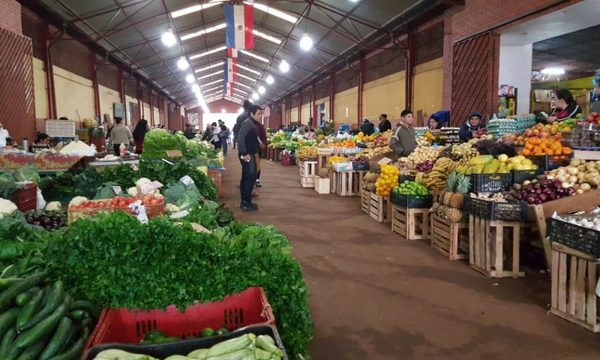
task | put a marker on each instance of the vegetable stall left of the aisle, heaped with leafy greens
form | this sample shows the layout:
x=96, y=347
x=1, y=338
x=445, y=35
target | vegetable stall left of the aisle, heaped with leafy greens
x=143, y=262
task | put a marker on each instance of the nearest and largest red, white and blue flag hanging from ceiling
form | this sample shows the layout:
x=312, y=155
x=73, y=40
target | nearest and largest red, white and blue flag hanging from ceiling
x=240, y=24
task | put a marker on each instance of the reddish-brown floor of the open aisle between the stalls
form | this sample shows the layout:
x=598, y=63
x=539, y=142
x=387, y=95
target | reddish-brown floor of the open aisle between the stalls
x=376, y=296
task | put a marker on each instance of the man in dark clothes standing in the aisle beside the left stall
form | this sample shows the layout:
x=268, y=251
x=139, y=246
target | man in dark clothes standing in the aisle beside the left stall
x=248, y=147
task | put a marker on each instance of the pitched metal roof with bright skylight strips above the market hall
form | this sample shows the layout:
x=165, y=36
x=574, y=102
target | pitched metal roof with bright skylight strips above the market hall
x=131, y=32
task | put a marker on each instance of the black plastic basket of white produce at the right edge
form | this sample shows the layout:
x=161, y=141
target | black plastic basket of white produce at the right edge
x=575, y=236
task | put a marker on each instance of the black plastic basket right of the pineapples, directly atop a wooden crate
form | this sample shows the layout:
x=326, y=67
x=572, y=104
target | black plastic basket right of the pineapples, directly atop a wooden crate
x=493, y=210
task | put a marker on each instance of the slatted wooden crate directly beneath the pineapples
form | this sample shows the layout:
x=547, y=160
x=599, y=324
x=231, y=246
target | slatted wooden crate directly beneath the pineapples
x=446, y=237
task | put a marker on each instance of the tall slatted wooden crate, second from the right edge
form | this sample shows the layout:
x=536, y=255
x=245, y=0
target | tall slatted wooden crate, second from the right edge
x=486, y=247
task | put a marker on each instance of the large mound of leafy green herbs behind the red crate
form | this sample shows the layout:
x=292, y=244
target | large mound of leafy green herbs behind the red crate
x=115, y=261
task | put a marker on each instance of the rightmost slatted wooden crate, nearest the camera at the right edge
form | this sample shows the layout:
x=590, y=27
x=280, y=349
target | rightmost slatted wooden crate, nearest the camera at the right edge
x=574, y=279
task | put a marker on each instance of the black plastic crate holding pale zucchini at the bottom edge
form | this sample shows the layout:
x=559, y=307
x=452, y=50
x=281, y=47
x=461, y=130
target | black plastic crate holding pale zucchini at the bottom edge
x=162, y=351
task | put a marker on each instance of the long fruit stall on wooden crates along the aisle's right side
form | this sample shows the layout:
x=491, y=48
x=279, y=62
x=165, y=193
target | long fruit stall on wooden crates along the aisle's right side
x=520, y=186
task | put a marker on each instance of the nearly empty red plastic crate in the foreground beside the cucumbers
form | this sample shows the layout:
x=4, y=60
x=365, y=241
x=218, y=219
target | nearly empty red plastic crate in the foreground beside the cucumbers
x=249, y=307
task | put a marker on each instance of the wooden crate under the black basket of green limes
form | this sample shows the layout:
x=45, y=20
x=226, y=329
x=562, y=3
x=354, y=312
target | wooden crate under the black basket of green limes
x=411, y=224
